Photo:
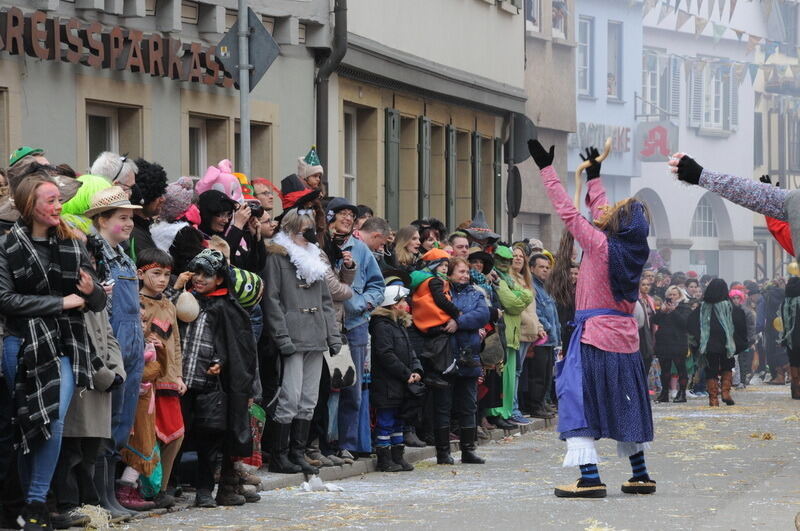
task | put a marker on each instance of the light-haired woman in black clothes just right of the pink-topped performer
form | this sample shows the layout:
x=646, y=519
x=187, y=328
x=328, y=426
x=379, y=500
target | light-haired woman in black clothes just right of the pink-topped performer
x=672, y=341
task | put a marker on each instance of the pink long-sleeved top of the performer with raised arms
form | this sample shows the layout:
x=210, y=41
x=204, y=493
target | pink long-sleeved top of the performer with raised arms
x=611, y=333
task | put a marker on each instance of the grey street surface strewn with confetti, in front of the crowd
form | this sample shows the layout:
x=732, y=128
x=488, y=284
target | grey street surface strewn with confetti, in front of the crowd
x=727, y=468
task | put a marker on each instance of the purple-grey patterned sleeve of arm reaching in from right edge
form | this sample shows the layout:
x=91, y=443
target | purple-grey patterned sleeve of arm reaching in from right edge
x=759, y=197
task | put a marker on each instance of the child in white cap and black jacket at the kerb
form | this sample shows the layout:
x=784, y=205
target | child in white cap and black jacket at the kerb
x=394, y=367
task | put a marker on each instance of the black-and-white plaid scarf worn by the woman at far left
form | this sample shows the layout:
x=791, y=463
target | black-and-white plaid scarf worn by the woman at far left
x=46, y=338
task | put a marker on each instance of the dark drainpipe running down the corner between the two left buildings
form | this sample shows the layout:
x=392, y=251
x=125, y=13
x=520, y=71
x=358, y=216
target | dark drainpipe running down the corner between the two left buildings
x=328, y=66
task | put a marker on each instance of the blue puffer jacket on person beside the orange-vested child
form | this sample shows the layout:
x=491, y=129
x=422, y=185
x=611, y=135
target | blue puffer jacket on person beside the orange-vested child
x=474, y=316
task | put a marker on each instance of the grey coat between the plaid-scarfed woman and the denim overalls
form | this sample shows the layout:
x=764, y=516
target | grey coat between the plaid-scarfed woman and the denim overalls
x=89, y=412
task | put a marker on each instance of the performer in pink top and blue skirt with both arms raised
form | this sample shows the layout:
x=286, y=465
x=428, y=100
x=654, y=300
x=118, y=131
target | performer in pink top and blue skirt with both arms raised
x=601, y=384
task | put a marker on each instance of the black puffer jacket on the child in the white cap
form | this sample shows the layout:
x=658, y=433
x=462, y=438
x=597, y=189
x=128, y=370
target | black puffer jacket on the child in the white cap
x=393, y=358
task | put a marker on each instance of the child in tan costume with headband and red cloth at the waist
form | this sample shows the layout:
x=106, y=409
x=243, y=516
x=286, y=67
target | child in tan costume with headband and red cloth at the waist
x=154, y=268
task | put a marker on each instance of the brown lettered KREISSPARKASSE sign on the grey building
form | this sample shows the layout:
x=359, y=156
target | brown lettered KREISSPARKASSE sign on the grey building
x=91, y=44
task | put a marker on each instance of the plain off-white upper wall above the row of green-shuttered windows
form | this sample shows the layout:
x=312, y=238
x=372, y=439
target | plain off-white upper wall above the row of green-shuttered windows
x=470, y=35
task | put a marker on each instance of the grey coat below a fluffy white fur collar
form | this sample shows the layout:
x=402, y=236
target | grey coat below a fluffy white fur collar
x=300, y=317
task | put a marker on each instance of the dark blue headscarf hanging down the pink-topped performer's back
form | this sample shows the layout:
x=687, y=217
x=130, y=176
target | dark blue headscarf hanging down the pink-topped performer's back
x=627, y=253
